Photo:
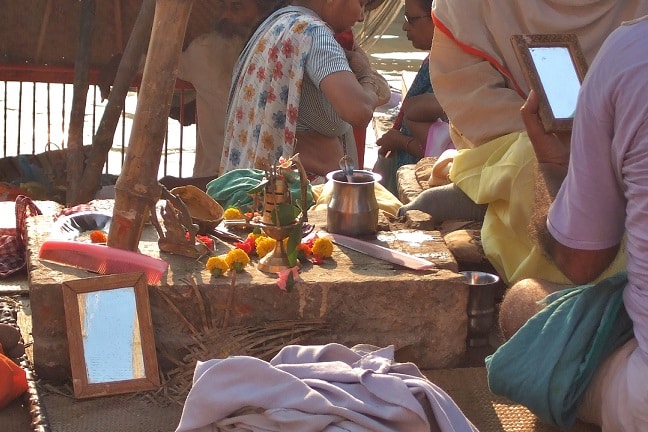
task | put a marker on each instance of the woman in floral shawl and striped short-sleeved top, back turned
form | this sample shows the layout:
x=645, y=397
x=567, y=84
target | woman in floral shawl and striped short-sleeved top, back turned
x=295, y=90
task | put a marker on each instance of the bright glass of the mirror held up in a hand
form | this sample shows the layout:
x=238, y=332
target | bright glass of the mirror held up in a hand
x=558, y=77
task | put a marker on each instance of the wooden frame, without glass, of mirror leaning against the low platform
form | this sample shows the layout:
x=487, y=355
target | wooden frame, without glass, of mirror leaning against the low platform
x=83, y=388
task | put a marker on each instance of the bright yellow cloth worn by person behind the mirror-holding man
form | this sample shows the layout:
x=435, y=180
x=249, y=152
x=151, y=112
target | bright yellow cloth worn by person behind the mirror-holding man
x=501, y=173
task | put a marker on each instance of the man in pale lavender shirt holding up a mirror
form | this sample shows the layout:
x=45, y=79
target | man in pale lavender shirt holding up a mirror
x=585, y=351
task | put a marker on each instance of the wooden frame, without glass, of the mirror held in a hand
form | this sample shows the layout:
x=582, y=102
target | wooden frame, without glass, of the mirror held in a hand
x=522, y=45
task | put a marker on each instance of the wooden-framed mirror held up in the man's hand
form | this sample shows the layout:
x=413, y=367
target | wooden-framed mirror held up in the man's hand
x=554, y=66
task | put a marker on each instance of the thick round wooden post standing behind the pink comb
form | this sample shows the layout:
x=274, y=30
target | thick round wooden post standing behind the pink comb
x=137, y=189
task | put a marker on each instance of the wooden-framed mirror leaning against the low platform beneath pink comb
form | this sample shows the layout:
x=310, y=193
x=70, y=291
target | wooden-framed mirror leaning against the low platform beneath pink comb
x=110, y=334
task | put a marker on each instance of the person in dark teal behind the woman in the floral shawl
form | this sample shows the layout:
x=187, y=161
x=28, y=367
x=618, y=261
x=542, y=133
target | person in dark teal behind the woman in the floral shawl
x=406, y=142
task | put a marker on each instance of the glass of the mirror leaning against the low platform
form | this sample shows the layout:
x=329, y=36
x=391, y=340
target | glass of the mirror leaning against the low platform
x=111, y=338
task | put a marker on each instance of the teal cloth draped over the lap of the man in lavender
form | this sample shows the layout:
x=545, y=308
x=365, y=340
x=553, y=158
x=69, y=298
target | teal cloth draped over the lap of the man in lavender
x=548, y=363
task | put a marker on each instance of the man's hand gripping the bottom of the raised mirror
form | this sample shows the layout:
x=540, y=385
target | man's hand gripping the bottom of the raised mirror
x=550, y=148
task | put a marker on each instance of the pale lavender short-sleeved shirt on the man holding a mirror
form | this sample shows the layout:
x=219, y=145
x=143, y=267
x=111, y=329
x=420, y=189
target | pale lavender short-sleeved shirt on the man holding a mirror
x=605, y=194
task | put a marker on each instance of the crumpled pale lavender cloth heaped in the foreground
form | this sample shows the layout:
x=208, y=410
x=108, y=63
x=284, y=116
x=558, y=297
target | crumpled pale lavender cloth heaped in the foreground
x=317, y=388
